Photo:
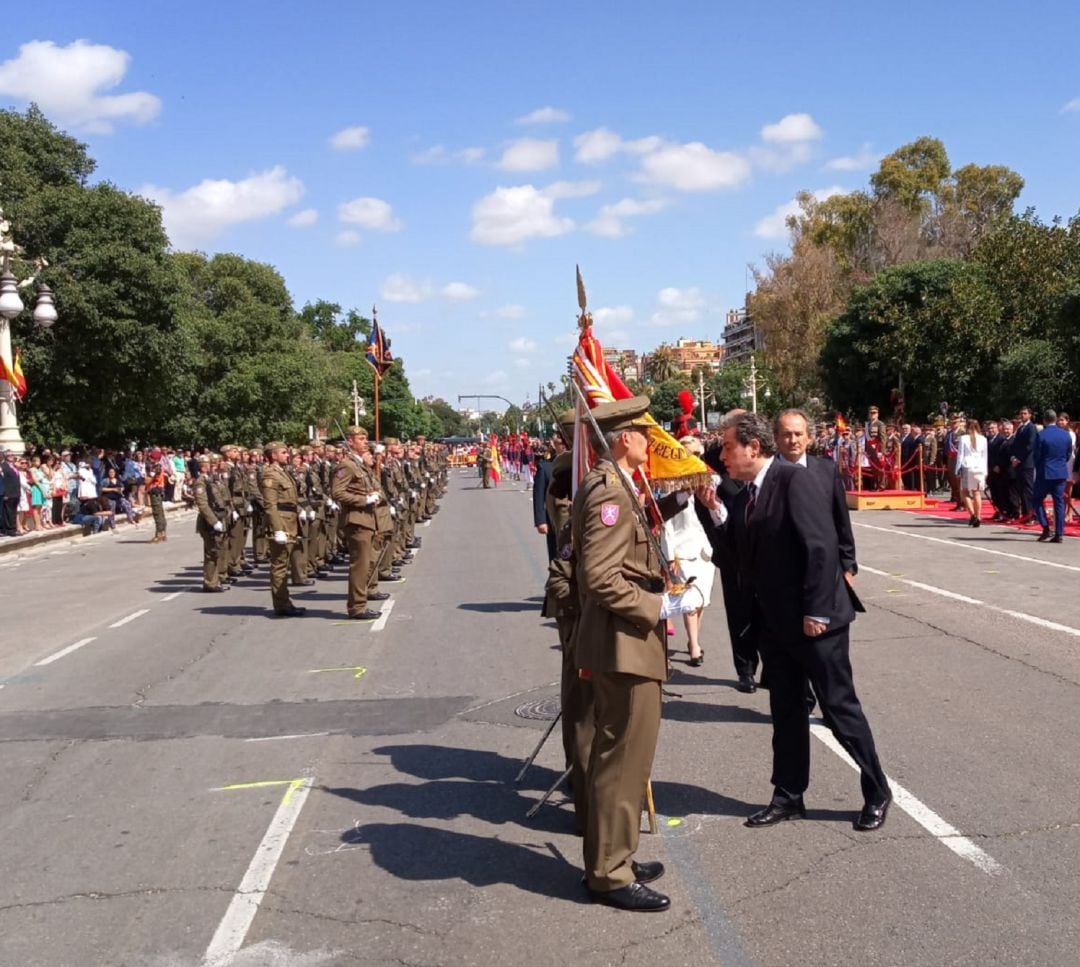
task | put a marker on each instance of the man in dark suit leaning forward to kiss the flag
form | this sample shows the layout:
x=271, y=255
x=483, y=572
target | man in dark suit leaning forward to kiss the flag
x=786, y=543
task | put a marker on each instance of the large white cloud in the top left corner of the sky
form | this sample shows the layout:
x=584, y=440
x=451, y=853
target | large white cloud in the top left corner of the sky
x=67, y=84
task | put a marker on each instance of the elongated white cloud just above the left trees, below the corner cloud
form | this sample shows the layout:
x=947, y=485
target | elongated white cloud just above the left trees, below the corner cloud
x=204, y=212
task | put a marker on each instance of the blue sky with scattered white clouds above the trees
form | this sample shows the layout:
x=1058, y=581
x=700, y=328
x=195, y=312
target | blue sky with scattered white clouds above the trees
x=452, y=164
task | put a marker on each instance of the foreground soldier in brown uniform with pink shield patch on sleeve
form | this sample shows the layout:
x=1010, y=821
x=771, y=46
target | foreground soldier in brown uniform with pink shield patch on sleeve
x=620, y=644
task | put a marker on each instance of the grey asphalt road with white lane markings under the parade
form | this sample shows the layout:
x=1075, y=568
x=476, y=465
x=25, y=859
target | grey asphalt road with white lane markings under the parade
x=198, y=783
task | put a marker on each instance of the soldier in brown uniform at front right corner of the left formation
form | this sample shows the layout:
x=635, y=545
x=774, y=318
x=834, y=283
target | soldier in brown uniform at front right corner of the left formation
x=355, y=491
